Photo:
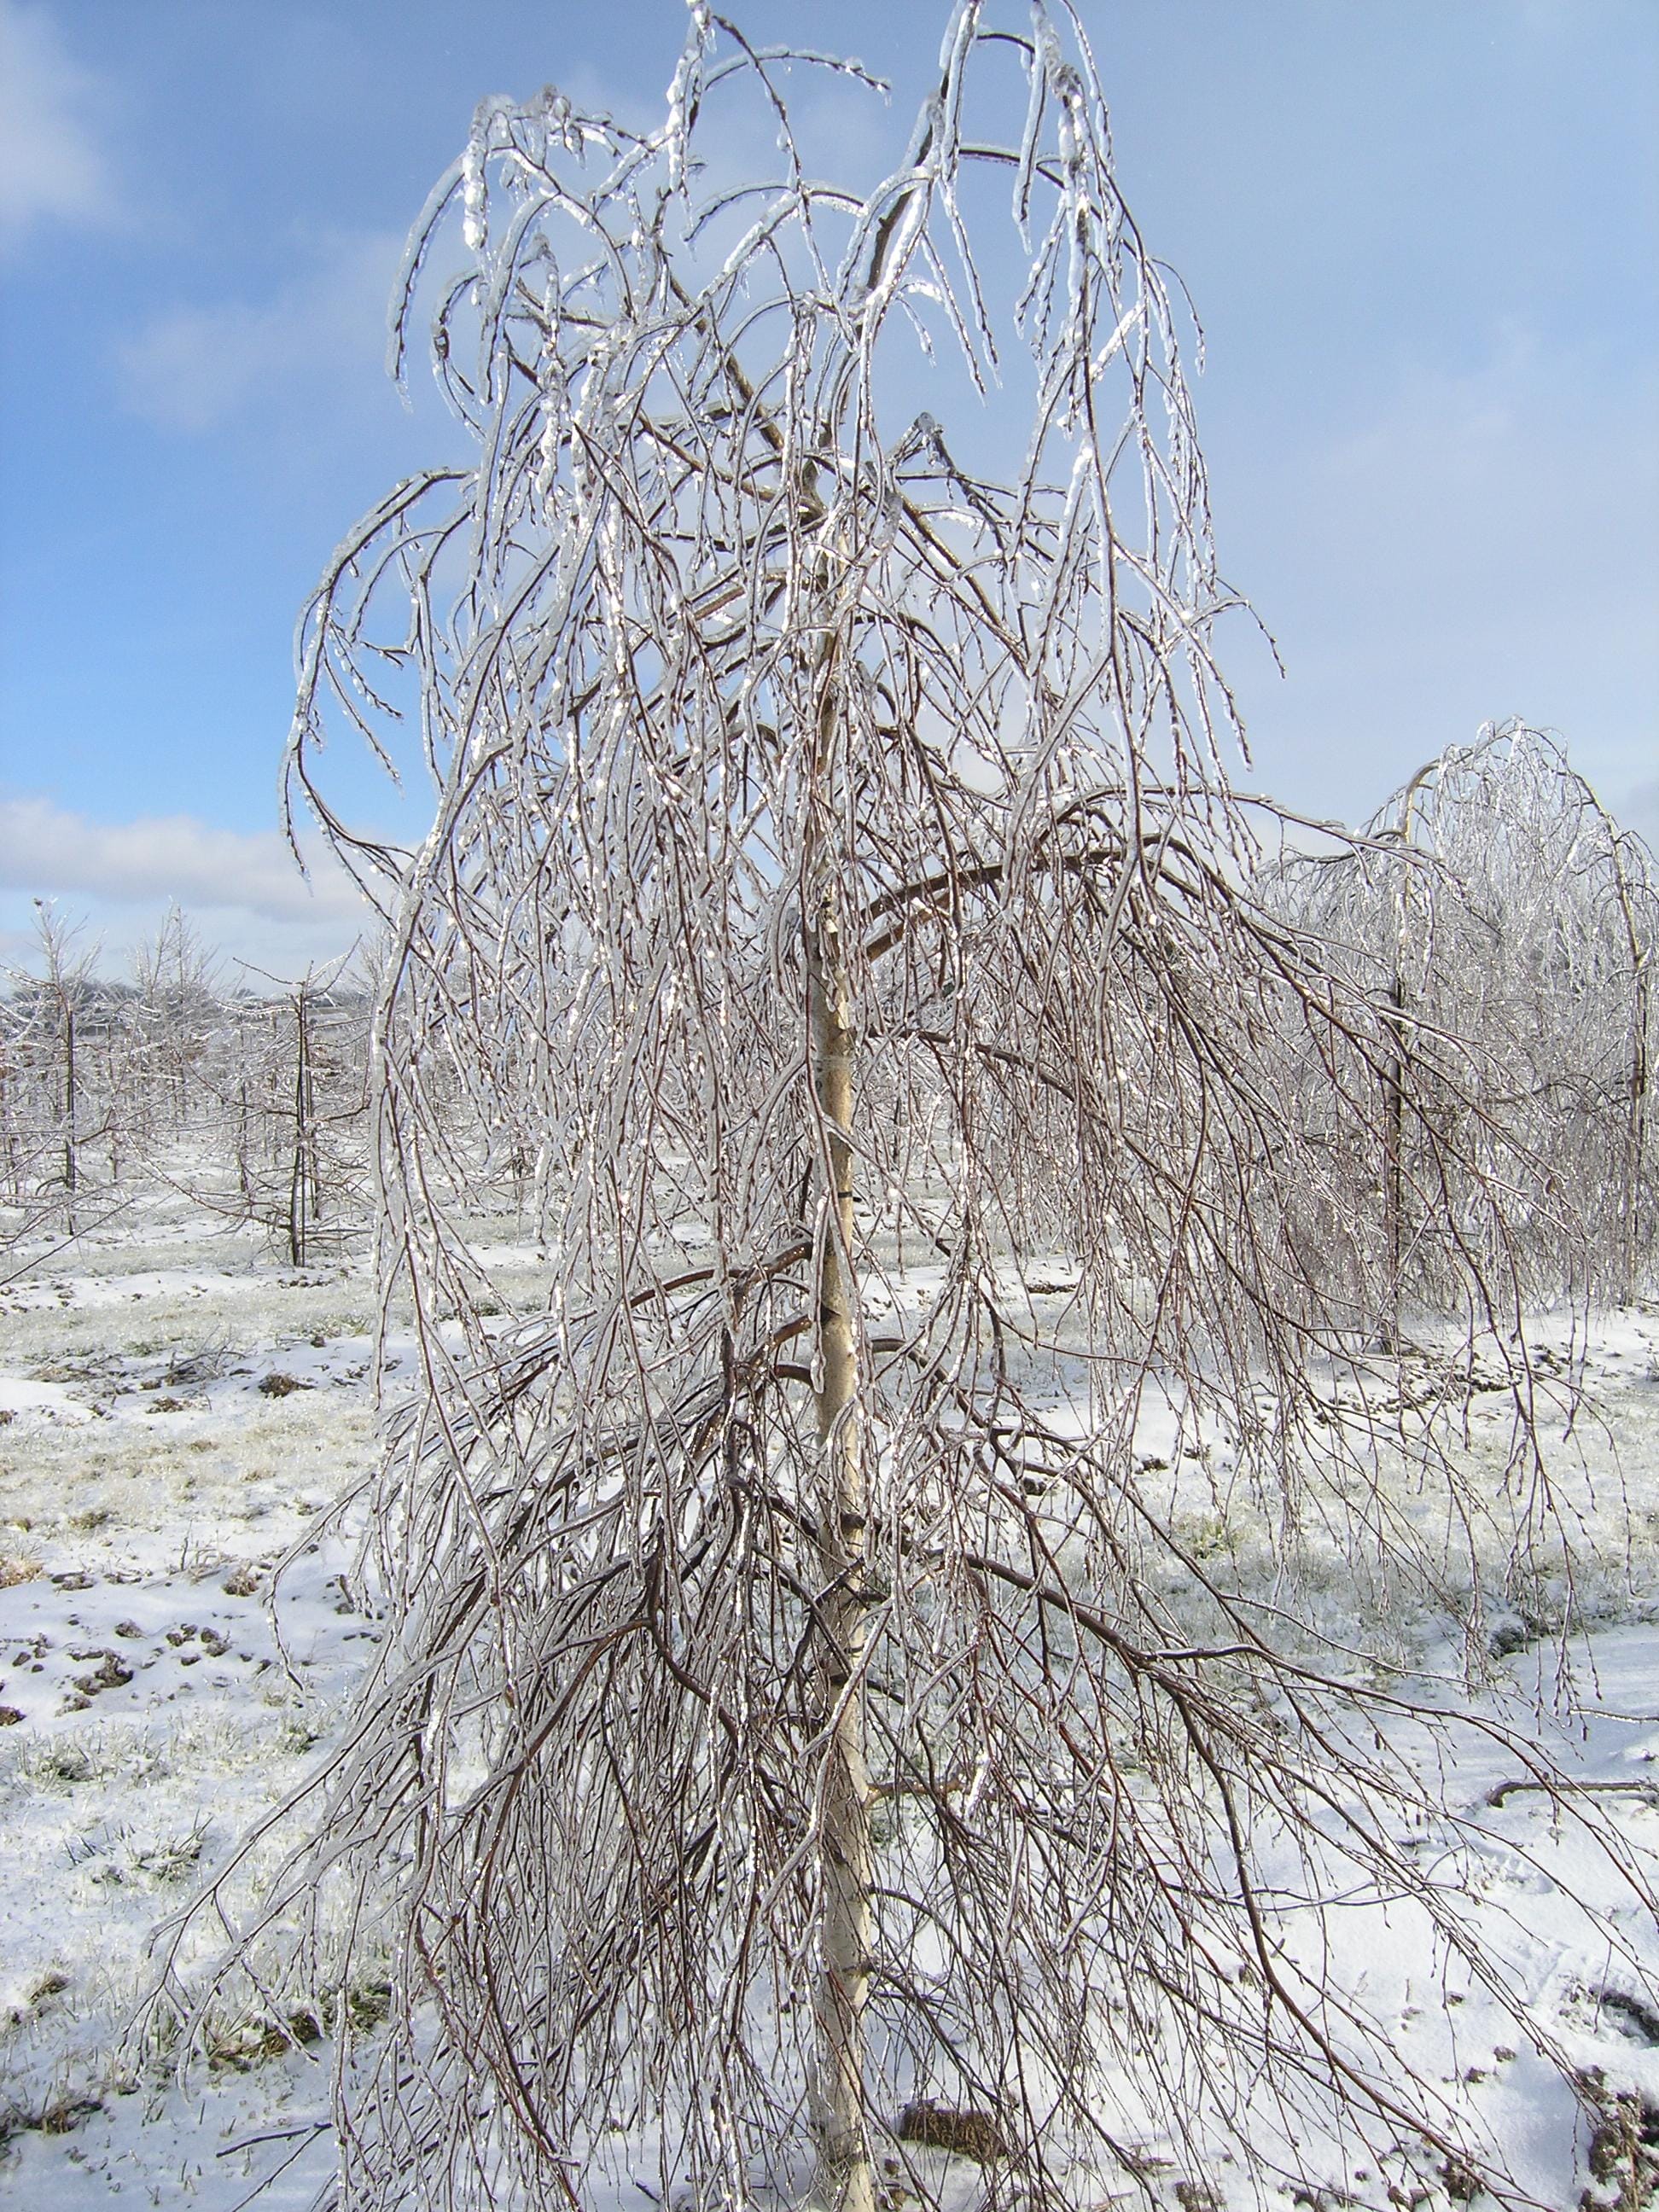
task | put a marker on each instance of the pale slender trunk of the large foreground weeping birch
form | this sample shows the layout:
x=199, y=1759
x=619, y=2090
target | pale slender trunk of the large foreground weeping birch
x=846, y=2180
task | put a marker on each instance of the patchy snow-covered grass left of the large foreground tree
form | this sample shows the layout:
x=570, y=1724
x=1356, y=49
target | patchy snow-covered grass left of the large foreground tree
x=174, y=1412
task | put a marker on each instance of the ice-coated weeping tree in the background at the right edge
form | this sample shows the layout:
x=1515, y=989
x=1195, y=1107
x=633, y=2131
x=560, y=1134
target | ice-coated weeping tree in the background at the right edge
x=1507, y=926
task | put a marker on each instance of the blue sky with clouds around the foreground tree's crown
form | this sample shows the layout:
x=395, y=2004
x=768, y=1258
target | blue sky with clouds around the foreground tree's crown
x=1423, y=238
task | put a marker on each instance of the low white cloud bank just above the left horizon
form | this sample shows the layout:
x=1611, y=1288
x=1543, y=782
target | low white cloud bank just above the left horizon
x=52, y=853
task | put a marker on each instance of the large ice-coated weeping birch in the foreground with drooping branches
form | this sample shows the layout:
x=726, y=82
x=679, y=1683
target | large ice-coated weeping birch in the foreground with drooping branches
x=804, y=1731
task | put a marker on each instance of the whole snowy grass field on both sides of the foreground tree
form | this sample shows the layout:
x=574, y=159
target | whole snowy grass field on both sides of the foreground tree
x=176, y=1410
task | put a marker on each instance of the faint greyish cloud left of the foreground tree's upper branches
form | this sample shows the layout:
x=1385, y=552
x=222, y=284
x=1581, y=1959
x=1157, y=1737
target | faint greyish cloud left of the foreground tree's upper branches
x=196, y=368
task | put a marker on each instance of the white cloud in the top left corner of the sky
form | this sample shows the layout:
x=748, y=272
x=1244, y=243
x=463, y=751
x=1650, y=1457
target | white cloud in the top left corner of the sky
x=52, y=167
